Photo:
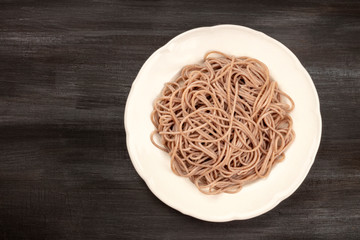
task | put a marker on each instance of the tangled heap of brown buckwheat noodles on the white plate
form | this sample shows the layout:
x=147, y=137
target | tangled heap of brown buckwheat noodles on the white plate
x=223, y=122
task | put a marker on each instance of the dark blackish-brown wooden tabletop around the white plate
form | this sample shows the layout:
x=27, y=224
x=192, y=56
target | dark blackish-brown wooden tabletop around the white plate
x=66, y=68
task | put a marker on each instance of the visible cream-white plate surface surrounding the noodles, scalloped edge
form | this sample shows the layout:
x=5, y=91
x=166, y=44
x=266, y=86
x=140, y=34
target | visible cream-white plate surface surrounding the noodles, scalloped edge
x=153, y=165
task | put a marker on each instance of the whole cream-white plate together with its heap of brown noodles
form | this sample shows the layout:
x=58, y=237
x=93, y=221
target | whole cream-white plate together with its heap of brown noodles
x=223, y=123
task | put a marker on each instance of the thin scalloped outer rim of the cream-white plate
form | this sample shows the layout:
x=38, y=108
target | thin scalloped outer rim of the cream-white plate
x=277, y=198
